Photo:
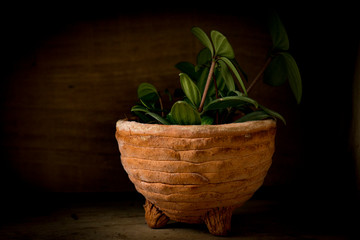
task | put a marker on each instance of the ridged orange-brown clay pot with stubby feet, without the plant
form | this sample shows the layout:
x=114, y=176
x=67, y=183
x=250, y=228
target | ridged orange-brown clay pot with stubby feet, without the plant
x=196, y=174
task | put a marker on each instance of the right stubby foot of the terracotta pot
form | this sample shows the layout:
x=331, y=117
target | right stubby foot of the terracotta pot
x=218, y=221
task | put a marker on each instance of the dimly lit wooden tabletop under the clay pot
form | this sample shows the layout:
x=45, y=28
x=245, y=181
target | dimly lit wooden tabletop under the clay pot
x=116, y=218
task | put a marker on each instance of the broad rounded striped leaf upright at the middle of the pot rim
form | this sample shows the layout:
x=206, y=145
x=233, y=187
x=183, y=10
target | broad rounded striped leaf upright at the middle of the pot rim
x=184, y=114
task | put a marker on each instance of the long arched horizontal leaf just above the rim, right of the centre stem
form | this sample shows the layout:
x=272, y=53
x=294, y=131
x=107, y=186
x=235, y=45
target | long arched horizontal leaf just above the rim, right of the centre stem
x=232, y=101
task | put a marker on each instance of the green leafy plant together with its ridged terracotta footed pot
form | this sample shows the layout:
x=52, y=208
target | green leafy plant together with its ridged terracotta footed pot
x=207, y=154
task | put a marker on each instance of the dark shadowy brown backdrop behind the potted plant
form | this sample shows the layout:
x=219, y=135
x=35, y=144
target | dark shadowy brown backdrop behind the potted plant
x=68, y=73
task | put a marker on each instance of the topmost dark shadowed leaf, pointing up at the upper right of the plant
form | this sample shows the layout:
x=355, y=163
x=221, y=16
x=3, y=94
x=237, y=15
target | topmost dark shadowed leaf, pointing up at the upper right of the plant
x=278, y=33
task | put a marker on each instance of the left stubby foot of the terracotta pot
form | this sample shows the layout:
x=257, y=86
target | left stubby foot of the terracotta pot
x=154, y=217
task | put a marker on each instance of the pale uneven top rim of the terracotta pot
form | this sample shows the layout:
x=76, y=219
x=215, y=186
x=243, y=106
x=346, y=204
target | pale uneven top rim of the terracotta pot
x=136, y=128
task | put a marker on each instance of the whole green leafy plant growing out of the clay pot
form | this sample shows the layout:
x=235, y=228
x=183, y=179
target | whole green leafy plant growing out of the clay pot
x=213, y=91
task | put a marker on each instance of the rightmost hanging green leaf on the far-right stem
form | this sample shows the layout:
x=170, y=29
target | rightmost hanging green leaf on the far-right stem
x=293, y=76
